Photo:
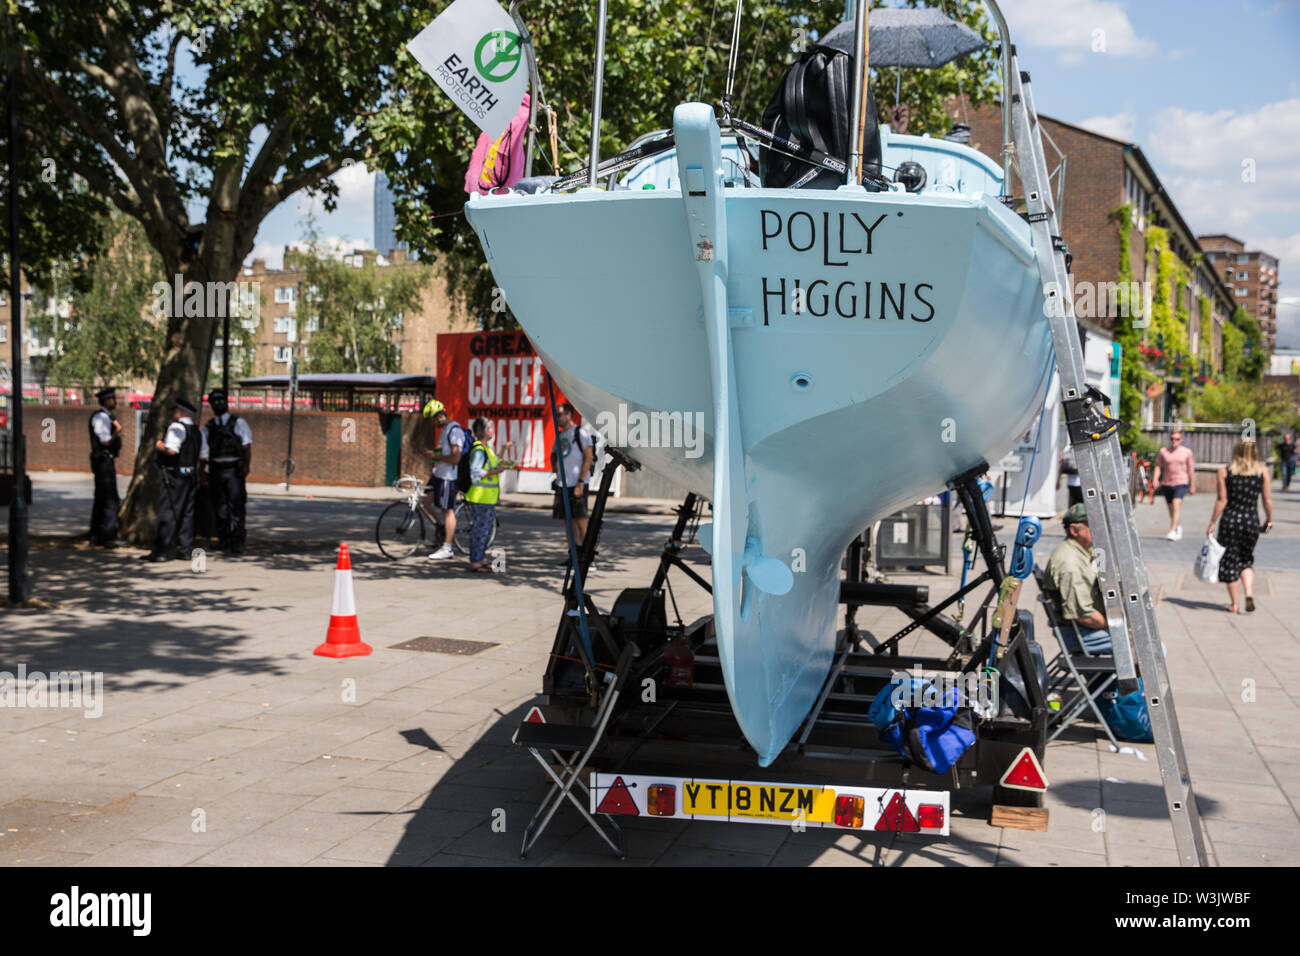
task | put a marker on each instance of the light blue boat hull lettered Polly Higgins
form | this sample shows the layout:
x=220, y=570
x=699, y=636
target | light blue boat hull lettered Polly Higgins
x=833, y=406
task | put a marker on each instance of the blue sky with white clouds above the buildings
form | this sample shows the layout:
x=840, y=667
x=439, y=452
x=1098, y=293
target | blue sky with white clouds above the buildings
x=1199, y=86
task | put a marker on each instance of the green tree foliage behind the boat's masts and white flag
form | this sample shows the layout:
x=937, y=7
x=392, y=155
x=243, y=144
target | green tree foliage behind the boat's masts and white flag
x=660, y=54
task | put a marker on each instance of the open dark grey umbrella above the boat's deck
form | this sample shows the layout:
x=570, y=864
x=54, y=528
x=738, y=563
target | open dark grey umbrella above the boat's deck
x=909, y=38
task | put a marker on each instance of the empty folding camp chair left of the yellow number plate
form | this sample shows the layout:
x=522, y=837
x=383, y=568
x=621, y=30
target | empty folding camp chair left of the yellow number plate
x=573, y=747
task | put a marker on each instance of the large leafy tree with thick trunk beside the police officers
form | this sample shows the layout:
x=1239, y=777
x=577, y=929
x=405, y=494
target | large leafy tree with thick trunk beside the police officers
x=200, y=119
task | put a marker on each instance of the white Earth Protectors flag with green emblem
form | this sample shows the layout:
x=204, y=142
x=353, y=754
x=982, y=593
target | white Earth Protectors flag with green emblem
x=475, y=54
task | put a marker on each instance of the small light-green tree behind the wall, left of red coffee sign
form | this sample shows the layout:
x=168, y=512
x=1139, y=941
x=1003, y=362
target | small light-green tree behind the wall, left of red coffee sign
x=361, y=312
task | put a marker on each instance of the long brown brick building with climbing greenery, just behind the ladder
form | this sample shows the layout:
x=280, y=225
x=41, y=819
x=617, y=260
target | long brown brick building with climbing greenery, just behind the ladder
x=1102, y=174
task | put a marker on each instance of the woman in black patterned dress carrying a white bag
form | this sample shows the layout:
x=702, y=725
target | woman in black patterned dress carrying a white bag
x=1241, y=486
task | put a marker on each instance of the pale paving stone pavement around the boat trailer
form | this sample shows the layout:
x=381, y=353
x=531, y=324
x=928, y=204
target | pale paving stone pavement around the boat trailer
x=224, y=742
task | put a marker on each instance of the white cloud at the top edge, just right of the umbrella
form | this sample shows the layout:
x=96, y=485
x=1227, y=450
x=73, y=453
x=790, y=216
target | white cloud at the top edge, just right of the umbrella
x=1080, y=29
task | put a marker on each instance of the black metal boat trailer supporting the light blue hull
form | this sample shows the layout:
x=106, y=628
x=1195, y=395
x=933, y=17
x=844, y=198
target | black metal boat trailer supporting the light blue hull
x=675, y=719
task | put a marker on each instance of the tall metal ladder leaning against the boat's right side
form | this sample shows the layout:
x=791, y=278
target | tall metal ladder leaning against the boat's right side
x=1095, y=436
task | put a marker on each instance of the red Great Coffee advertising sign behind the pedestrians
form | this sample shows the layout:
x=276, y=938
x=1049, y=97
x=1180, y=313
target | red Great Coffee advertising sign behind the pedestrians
x=497, y=377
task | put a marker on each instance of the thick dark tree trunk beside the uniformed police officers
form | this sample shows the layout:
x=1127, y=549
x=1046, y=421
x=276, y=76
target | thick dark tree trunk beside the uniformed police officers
x=183, y=375
